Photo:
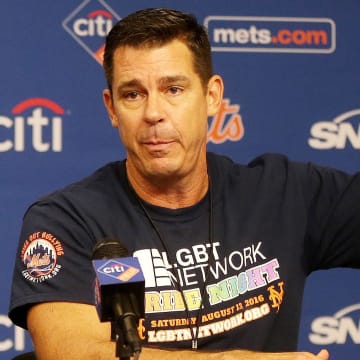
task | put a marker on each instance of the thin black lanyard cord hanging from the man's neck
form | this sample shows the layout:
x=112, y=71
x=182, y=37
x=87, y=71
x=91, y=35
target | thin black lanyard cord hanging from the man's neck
x=194, y=331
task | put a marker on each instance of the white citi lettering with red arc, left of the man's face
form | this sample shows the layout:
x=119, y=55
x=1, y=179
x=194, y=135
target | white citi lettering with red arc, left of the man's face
x=30, y=128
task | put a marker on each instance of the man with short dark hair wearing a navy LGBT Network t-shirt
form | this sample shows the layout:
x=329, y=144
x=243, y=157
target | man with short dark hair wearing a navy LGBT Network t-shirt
x=225, y=248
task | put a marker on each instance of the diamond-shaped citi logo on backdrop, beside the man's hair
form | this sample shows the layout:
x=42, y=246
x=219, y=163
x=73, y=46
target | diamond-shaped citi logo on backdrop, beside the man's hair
x=89, y=24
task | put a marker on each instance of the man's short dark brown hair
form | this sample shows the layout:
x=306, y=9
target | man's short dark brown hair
x=154, y=27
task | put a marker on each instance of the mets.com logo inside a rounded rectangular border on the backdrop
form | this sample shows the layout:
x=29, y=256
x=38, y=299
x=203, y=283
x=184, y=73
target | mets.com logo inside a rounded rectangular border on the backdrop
x=271, y=34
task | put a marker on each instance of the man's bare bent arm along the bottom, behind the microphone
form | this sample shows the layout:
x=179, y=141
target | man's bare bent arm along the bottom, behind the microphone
x=64, y=330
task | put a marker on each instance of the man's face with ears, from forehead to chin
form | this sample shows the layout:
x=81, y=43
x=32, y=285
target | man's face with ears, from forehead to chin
x=161, y=109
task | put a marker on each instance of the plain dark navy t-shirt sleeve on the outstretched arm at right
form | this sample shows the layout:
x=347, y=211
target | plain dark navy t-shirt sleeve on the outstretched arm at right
x=334, y=219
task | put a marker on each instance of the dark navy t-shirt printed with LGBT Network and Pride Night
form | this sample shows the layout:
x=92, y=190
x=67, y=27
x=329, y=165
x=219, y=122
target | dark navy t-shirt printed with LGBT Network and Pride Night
x=273, y=222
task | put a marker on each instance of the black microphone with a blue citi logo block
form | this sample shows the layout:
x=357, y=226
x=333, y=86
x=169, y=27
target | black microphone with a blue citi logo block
x=119, y=293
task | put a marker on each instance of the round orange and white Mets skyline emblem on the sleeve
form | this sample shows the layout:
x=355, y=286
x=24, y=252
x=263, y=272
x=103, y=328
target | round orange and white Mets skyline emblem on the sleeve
x=39, y=255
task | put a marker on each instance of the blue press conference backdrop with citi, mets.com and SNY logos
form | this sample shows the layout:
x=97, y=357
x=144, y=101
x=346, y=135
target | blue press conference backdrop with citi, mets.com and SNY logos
x=292, y=76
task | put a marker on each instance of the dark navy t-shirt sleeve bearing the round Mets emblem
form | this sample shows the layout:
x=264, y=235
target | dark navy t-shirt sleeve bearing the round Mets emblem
x=53, y=260
